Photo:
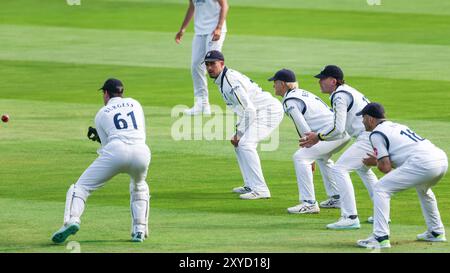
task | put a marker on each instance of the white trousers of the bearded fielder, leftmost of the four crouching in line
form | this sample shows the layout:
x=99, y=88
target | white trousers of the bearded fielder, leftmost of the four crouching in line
x=266, y=122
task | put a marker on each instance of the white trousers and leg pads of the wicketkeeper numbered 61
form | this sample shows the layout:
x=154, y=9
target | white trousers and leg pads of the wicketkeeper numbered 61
x=116, y=157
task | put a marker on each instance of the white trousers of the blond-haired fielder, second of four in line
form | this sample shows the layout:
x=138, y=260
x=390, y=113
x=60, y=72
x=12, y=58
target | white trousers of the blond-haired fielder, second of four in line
x=321, y=153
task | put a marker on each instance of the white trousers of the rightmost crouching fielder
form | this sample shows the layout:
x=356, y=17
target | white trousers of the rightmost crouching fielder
x=419, y=171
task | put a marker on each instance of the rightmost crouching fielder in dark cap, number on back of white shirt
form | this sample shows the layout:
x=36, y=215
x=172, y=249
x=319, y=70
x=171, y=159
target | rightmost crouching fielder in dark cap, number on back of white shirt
x=408, y=160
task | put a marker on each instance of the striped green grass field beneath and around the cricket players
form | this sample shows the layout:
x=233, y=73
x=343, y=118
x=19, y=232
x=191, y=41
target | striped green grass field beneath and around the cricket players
x=53, y=58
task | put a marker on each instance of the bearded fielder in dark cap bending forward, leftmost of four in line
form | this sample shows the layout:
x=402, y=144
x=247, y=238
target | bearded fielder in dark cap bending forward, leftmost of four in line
x=259, y=115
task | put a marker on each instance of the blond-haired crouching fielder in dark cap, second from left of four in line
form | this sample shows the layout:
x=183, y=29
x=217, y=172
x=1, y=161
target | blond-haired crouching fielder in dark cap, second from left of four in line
x=309, y=113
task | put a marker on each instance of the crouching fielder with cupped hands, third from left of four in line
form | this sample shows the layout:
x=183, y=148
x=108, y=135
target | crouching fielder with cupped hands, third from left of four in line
x=346, y=102
